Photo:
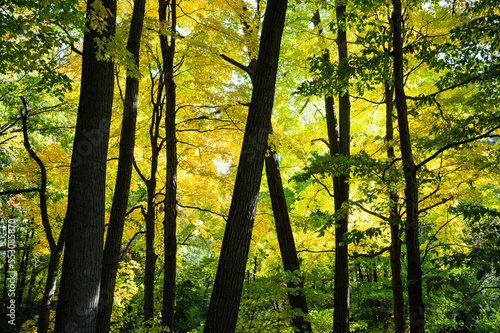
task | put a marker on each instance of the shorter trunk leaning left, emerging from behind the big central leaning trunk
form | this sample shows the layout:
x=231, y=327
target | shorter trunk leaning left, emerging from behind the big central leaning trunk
x=286, y=242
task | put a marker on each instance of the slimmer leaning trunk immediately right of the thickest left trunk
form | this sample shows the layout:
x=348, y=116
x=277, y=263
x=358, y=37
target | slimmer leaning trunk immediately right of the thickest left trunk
x=114, y=235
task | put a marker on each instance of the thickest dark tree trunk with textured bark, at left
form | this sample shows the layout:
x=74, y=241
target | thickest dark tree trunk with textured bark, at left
x=81, y=273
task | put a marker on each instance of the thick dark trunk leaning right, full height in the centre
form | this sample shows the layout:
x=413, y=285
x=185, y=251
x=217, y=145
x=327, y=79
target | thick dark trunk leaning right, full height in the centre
x=224, y=303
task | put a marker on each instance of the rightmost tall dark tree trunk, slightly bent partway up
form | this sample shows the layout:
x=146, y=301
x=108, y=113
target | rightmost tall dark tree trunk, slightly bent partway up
x=415, y=299
